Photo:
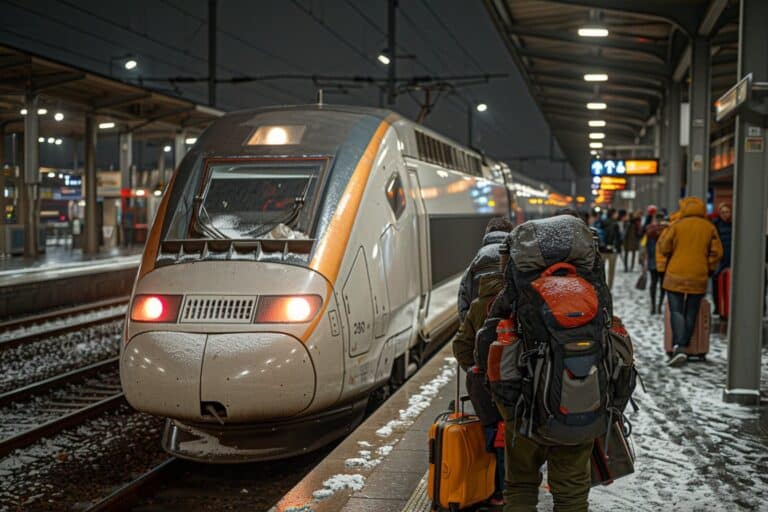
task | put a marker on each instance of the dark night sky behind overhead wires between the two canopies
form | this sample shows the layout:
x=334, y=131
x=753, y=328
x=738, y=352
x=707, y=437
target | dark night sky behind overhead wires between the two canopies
x=338, y=37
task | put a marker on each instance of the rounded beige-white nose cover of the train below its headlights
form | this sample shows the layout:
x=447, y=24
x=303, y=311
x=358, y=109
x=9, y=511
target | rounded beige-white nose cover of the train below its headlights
x=234, y=377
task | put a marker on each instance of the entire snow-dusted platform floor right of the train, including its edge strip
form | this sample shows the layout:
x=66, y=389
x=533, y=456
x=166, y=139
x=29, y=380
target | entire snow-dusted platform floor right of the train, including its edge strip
x=694, y=452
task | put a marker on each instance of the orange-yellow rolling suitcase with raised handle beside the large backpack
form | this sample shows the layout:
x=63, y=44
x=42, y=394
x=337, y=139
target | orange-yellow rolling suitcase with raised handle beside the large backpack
x=461, y=471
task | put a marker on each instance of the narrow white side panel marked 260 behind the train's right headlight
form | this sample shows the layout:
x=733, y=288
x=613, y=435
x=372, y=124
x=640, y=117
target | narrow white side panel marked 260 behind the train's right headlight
x=356, y=294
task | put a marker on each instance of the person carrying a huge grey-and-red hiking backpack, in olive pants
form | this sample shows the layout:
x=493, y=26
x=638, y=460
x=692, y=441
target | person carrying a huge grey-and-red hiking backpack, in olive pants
x=561, y=369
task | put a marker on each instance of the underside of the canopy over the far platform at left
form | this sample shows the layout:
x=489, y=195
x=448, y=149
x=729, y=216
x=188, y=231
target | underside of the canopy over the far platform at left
x=76, y=93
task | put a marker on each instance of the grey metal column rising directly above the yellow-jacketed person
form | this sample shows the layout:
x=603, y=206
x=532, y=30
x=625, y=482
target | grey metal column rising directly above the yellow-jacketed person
x=698, y=160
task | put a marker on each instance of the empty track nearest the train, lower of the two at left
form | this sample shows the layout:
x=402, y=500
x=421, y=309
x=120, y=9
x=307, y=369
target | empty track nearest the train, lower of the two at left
x=47, y=407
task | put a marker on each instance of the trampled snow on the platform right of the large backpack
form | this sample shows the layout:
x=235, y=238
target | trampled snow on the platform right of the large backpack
x=694, y=452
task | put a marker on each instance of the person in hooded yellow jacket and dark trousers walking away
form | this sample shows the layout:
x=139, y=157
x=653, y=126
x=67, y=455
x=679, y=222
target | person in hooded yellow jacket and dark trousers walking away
x=693, y=249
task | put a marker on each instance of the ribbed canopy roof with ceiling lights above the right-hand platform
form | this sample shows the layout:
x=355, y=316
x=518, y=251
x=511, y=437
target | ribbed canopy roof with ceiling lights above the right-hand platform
x=647, y=47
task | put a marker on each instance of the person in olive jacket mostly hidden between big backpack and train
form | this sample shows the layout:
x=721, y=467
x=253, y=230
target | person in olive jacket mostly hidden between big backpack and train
x=463, y=349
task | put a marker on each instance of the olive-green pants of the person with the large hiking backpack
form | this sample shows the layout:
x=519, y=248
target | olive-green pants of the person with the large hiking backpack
x=568, y=474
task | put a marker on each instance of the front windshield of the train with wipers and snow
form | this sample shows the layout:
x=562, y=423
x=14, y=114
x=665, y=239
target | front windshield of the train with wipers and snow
x=250, y=200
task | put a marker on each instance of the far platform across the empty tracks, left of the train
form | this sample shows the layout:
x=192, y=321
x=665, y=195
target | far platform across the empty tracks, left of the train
x=63, y=277
